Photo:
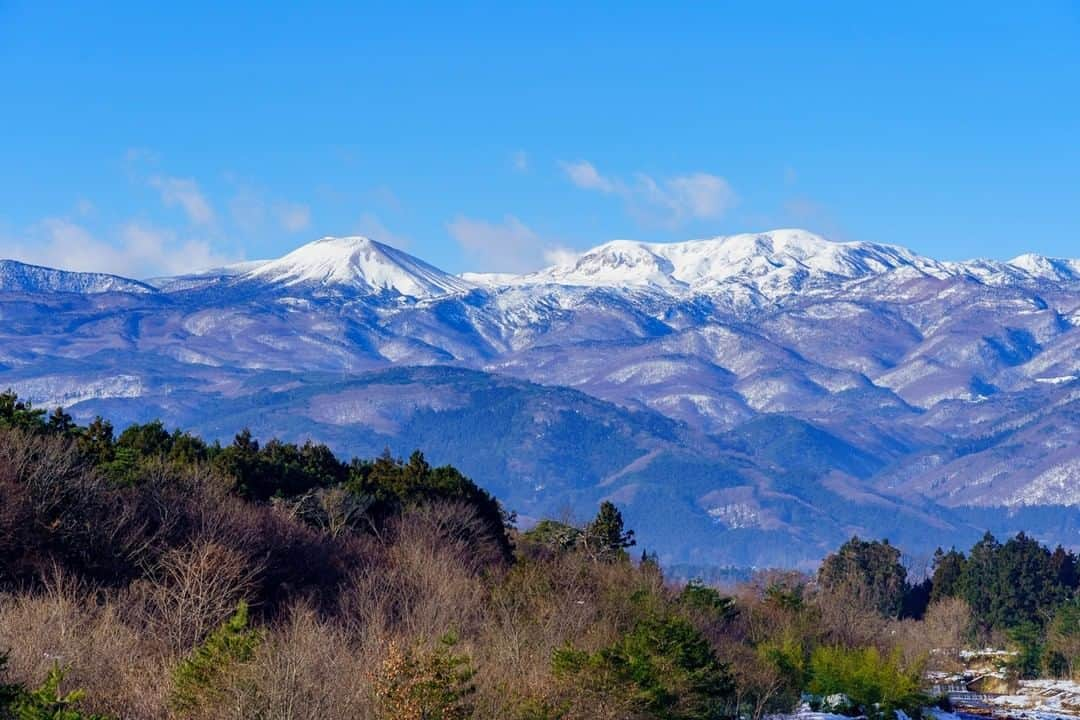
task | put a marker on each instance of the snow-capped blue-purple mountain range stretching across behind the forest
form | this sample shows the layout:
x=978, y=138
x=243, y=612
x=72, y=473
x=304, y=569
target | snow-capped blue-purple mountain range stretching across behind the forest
x=749, y=400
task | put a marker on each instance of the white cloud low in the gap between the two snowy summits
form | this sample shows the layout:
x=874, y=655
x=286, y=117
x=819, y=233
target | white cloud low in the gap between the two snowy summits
x=506, y=247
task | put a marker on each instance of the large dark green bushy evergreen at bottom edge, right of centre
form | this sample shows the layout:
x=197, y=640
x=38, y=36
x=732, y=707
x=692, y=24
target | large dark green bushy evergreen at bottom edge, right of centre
x=665, y=667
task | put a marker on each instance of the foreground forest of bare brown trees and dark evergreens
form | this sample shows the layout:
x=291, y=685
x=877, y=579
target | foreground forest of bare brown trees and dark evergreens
x=152, y=575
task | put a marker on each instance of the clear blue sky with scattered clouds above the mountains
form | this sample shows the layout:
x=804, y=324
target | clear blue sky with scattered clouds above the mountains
x=152, y=139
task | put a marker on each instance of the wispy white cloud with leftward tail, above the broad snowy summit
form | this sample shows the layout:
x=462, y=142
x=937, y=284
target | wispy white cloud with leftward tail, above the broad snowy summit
x=671, y=201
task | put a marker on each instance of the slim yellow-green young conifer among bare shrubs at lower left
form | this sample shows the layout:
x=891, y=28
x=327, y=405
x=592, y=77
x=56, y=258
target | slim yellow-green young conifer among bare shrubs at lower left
x=199, y=681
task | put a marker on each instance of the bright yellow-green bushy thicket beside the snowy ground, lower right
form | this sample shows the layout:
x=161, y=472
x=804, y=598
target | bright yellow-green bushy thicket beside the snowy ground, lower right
x=877, y=685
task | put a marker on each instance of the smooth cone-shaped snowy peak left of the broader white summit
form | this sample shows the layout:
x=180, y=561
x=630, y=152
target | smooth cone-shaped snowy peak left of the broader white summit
x=358, y=264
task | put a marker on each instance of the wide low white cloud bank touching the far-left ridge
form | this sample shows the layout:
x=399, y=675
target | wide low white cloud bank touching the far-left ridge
x=138, y=251
